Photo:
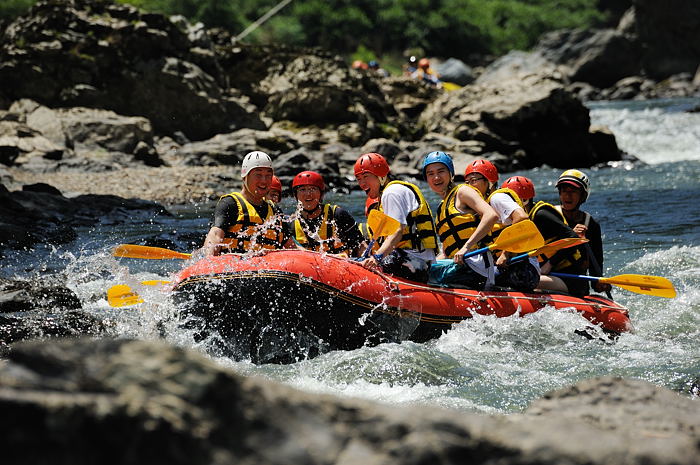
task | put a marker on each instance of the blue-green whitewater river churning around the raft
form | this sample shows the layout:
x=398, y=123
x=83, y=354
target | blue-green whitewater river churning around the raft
x=651, y=225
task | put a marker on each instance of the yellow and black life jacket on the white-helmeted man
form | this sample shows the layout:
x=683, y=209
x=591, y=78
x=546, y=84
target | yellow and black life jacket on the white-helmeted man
x=250, y=231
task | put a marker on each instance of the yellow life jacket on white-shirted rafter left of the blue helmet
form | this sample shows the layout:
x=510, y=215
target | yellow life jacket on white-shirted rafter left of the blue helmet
x=419, y=232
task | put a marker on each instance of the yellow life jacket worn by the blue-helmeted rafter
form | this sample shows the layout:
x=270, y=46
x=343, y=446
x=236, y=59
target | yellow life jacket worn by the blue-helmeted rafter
x=455, y=227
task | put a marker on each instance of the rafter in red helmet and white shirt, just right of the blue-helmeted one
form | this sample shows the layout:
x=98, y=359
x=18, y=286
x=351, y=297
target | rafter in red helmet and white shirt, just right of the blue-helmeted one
x=523, y=275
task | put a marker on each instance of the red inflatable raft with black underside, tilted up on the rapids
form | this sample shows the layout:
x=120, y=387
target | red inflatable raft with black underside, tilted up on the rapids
x=291, y=304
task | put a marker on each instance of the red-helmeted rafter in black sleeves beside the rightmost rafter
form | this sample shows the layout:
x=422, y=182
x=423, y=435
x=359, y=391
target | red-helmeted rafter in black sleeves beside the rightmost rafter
x=553, y=226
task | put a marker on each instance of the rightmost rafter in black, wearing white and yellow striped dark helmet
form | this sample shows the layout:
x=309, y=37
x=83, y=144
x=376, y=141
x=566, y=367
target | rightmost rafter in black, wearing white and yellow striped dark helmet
x=574, y=188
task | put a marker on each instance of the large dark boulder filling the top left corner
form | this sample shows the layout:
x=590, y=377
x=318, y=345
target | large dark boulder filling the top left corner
x=105, y=55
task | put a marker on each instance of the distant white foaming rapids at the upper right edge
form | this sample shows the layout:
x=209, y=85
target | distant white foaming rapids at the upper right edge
x=653, y=135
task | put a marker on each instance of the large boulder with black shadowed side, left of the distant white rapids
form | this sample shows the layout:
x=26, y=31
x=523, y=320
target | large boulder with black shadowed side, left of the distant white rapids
x=529, y=117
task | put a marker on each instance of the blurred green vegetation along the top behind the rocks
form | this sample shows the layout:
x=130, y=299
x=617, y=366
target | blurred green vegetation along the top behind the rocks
x=388, y=29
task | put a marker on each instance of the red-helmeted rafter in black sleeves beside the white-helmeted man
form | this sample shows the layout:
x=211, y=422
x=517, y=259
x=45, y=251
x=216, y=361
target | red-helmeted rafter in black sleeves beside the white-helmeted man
x=323, y=227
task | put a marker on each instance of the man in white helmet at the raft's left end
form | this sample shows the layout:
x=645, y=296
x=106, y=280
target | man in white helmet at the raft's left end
x=247, y=221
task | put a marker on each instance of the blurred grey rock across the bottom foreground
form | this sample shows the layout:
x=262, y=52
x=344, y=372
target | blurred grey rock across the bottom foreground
x=120, y=401
